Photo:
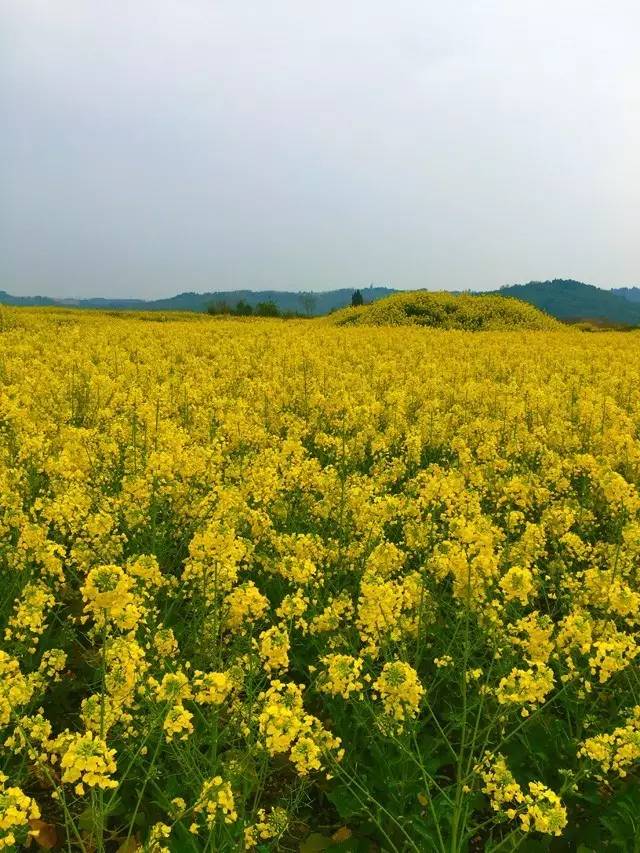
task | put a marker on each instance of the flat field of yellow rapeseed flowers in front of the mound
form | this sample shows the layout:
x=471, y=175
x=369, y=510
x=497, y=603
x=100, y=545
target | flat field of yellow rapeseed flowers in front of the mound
x=291, y=586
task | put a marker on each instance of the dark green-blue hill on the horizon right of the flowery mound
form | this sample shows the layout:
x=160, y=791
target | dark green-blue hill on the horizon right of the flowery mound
x=567, y=299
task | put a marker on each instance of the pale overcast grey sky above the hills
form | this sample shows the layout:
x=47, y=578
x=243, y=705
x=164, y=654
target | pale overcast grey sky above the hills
x=150, y=147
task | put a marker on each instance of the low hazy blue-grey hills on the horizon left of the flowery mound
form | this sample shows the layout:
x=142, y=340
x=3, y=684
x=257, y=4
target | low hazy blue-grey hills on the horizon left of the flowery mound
x=306, y=302
